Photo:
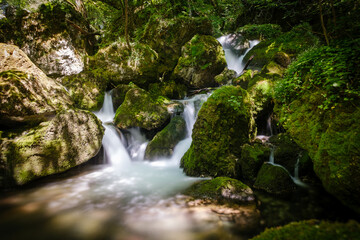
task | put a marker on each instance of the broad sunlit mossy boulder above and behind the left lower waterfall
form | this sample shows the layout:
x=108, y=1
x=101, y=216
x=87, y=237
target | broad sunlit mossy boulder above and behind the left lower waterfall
x=121, y=65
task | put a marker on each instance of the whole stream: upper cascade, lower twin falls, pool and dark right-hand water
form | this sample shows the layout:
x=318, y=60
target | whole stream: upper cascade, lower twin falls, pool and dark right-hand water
x=127, y=197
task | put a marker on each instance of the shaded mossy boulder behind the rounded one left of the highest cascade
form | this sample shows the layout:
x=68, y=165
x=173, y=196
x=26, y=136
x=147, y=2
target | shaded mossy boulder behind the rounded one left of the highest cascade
x=167, y=36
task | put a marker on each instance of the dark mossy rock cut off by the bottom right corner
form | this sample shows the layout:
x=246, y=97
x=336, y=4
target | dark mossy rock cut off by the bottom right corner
x=313, y=229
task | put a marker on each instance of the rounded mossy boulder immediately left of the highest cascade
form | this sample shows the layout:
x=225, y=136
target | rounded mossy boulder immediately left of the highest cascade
x=202, y=58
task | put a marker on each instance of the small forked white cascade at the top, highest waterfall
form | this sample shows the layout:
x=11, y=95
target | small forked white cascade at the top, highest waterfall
x=234, y=61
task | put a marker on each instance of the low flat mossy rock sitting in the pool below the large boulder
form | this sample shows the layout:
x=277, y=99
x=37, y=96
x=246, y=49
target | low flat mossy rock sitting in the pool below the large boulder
x=221, y=189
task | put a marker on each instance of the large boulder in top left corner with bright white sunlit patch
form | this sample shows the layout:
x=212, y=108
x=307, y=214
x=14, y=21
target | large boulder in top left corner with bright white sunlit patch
x=56, y=37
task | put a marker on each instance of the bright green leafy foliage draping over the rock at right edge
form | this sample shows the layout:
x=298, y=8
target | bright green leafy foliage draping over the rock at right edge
x=333, y=69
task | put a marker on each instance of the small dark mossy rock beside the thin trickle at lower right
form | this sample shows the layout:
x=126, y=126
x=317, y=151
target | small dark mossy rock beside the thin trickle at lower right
x=274, y=179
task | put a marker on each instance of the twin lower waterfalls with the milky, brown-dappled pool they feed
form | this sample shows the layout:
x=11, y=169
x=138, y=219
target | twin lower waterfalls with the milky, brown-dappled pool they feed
x=128, y=198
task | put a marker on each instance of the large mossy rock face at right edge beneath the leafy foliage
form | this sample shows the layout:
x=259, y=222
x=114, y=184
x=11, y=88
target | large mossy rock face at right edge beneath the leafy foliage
x=332, y=140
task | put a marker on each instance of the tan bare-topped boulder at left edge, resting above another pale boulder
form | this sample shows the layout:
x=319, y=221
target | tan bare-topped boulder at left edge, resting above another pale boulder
x=27, y=93
